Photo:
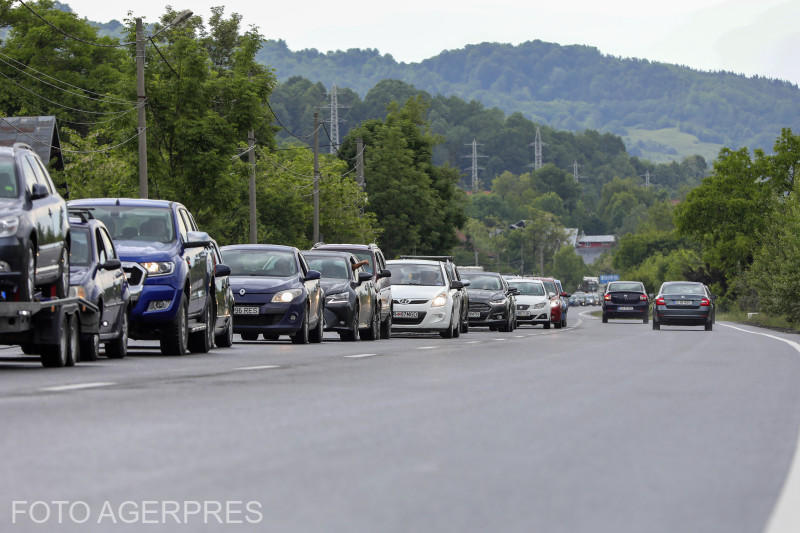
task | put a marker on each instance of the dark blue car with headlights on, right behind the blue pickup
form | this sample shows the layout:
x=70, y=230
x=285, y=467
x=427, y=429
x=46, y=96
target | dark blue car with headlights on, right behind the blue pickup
x=275, y=293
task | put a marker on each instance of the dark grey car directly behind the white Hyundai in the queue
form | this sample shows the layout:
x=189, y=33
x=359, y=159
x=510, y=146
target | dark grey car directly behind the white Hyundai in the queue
x=491, y=301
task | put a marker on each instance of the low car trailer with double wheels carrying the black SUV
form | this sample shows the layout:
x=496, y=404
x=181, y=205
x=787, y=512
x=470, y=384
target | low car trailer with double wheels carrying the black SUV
x=50, y=328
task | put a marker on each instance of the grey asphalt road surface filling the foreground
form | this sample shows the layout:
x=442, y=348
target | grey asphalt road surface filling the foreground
x=595, y=428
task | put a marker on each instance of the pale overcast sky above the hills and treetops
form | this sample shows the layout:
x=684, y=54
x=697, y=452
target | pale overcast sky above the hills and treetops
x=744, y=36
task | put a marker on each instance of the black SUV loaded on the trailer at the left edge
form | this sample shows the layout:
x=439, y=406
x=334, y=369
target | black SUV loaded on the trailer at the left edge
x=34, y=228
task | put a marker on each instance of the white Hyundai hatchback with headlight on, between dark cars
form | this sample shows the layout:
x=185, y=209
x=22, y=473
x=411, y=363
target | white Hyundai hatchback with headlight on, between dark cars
x=423, y=298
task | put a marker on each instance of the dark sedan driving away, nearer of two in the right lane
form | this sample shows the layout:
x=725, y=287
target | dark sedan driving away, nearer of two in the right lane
x=684, y=303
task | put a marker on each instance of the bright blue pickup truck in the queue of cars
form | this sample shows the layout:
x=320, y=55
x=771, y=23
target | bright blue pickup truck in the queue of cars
x=170, y=270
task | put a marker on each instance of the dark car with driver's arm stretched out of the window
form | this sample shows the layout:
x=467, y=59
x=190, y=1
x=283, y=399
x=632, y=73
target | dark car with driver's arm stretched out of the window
x=351, y=301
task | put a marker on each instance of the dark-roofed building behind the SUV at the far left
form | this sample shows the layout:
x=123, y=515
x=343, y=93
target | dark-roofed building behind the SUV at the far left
x=40, y=133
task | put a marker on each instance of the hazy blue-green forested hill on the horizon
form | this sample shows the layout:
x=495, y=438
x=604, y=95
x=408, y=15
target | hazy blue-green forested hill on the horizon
x=663, y=112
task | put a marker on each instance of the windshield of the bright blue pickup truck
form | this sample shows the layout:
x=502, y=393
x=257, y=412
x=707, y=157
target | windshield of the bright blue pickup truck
x=135, y=223
